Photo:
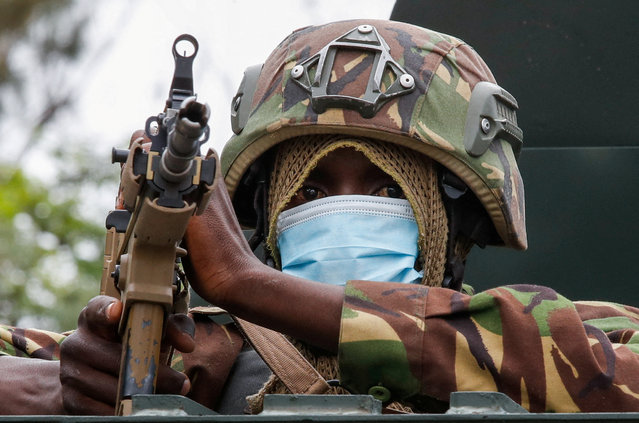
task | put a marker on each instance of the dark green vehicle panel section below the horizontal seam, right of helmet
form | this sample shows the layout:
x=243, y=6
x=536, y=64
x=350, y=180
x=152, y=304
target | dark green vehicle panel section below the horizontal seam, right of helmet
x=581, y=206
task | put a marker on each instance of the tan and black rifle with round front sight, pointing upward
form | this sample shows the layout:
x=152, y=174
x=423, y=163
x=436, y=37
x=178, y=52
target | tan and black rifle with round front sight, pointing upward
x=160, y=189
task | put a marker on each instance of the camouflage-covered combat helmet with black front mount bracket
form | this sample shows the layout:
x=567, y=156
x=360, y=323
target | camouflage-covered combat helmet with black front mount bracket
x=388, y=81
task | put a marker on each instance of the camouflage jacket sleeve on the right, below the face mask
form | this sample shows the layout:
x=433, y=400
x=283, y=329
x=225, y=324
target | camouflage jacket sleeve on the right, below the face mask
x=542, y=350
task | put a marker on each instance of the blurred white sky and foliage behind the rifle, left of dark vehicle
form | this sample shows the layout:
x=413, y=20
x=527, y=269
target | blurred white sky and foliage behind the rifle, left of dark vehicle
x=76, y=79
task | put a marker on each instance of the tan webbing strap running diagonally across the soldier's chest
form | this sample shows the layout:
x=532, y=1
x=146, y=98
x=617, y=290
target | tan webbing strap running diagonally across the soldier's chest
x=297, y=374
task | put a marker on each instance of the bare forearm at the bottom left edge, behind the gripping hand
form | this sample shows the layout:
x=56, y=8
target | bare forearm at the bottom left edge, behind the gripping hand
x=30, y=386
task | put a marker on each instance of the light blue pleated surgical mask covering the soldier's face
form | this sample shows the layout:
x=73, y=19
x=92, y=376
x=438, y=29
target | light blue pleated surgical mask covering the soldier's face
x=346, y=237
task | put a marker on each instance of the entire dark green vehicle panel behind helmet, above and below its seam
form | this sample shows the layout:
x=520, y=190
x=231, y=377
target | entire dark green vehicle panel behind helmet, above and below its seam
x=574, y=69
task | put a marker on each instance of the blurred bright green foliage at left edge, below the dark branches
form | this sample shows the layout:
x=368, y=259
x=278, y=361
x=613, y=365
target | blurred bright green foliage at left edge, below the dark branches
x=47, y=255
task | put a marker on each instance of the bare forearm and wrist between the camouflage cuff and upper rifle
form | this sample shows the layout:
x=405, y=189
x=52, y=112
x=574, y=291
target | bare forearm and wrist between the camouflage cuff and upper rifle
x=224, y=271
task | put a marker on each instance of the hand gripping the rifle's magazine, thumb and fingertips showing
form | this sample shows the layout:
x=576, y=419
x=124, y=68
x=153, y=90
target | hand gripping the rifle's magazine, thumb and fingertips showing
x=90, y=358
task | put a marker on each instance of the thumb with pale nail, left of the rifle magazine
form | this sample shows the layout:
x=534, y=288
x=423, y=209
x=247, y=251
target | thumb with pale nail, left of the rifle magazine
x=101, y=317
